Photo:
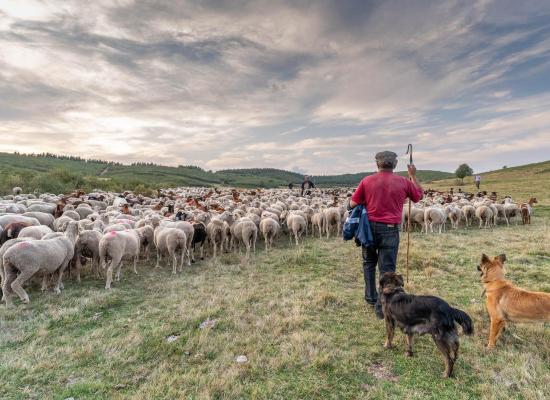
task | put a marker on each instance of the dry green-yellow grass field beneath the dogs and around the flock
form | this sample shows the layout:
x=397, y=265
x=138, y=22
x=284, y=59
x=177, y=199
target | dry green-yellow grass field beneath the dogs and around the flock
x=298, y=316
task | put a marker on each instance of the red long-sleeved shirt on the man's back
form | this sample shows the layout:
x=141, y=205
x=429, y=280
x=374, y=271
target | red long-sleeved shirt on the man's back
x=384, y=194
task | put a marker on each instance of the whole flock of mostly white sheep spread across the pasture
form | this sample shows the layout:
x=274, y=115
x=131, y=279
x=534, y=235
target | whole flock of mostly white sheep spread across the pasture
x=43, y=236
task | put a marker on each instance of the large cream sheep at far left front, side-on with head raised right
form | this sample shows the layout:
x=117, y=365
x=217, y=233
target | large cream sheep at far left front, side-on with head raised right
x=30, y=257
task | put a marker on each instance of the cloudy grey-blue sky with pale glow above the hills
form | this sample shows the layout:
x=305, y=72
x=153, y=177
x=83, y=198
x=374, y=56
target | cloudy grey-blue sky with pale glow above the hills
x=311, y=86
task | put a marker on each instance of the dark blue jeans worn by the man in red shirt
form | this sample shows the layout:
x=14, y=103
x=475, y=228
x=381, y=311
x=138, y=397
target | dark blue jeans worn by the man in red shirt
x=383, y=253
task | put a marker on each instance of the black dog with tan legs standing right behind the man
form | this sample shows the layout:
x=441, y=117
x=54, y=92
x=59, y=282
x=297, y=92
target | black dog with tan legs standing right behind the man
x=422, y=314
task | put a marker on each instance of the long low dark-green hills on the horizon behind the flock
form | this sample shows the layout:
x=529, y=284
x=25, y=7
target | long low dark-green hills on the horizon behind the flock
x=53, y=173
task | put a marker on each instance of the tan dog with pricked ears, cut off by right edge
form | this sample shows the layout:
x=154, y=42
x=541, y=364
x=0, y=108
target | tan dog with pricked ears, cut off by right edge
x=506, y=302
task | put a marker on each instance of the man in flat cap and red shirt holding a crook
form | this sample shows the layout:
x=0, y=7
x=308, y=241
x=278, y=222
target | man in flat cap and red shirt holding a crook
x=384, y=194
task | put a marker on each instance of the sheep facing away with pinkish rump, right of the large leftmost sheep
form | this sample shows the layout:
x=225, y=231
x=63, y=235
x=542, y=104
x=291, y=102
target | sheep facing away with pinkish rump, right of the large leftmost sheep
x=113, y=247
